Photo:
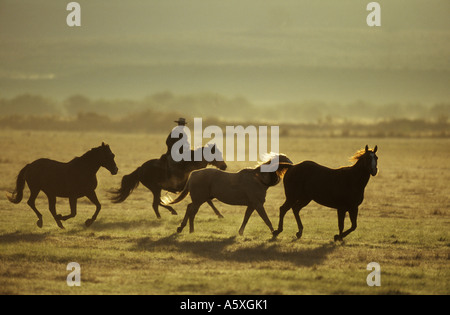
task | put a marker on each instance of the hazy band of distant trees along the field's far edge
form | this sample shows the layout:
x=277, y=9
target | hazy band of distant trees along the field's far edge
x=156, y=113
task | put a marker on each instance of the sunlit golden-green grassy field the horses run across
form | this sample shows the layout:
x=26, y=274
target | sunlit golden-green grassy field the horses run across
x=403, y=225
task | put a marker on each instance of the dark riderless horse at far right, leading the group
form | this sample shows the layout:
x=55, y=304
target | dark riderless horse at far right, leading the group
x=341, y=188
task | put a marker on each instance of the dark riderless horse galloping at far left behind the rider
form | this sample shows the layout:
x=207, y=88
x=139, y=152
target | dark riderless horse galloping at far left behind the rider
x=72, y=180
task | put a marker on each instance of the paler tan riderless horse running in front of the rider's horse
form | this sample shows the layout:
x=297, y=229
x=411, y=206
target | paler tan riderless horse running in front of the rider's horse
x=248, y=188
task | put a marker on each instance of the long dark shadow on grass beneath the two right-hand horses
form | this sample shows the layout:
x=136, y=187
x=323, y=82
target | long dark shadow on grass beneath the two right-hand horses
x=217, y=250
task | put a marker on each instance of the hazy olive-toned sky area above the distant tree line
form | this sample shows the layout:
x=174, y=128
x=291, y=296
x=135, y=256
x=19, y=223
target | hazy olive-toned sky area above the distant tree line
x=265, y=50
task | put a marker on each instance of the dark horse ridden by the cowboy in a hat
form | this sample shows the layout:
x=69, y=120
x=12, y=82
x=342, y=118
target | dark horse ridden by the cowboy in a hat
x=153, y=175
